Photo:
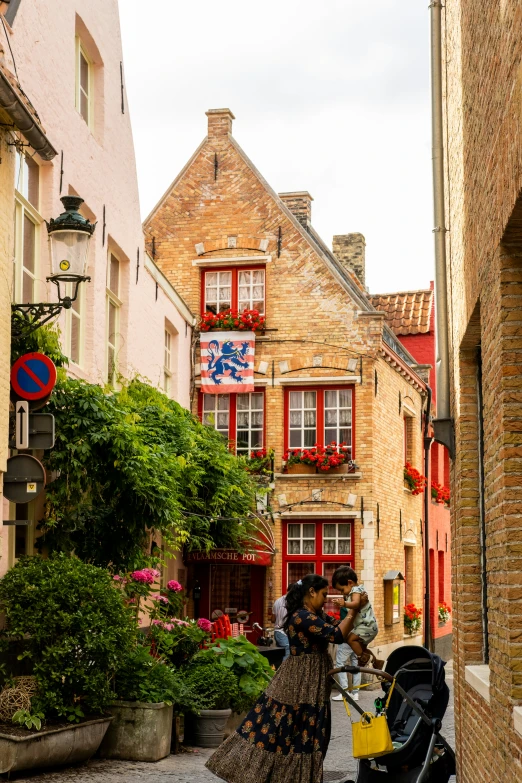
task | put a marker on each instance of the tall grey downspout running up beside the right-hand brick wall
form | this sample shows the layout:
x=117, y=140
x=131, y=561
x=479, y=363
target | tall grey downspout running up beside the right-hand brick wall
x=443, y=424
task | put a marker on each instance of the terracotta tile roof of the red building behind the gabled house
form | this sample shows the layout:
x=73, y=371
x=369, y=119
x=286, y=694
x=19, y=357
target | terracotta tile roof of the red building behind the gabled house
x=407, y=312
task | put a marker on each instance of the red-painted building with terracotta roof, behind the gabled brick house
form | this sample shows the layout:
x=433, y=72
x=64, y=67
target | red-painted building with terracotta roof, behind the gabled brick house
x=411, y=316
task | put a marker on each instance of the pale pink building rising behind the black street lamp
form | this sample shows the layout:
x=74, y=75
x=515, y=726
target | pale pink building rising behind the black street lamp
x=129, y=319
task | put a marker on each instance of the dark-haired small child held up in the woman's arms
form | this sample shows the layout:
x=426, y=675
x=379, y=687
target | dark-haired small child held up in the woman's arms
x=365, y=627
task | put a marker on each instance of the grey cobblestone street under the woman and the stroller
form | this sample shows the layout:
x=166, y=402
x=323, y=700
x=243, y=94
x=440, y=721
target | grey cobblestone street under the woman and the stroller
x=189, y=767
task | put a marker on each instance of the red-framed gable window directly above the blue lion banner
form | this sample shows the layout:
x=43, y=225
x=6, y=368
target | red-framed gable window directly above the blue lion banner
x=236, y=289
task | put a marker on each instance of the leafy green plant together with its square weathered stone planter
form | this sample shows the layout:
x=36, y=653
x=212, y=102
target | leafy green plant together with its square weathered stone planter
x=147, y=691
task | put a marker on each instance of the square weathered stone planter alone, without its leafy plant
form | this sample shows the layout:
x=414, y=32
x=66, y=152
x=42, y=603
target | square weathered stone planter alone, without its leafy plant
x=139, y=732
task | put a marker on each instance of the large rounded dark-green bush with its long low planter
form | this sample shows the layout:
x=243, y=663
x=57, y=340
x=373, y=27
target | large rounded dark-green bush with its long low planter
x=74, y=628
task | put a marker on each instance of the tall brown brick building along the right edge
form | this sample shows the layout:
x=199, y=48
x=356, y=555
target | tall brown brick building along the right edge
x=482, y=47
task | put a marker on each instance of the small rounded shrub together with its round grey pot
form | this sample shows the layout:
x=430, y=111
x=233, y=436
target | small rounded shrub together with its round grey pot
x=214, y=690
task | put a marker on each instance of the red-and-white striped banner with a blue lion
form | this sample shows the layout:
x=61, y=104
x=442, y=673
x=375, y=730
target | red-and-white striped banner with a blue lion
x=227, y=362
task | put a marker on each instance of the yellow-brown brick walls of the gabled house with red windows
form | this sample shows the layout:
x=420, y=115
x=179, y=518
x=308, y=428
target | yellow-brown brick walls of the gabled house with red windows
x=321, y=331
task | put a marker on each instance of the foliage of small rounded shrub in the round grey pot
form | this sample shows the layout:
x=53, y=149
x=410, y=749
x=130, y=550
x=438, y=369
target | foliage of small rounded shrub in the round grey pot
x=213, y=687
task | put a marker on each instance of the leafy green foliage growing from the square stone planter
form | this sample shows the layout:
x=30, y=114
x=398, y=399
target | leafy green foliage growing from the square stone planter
x=147, y=679
